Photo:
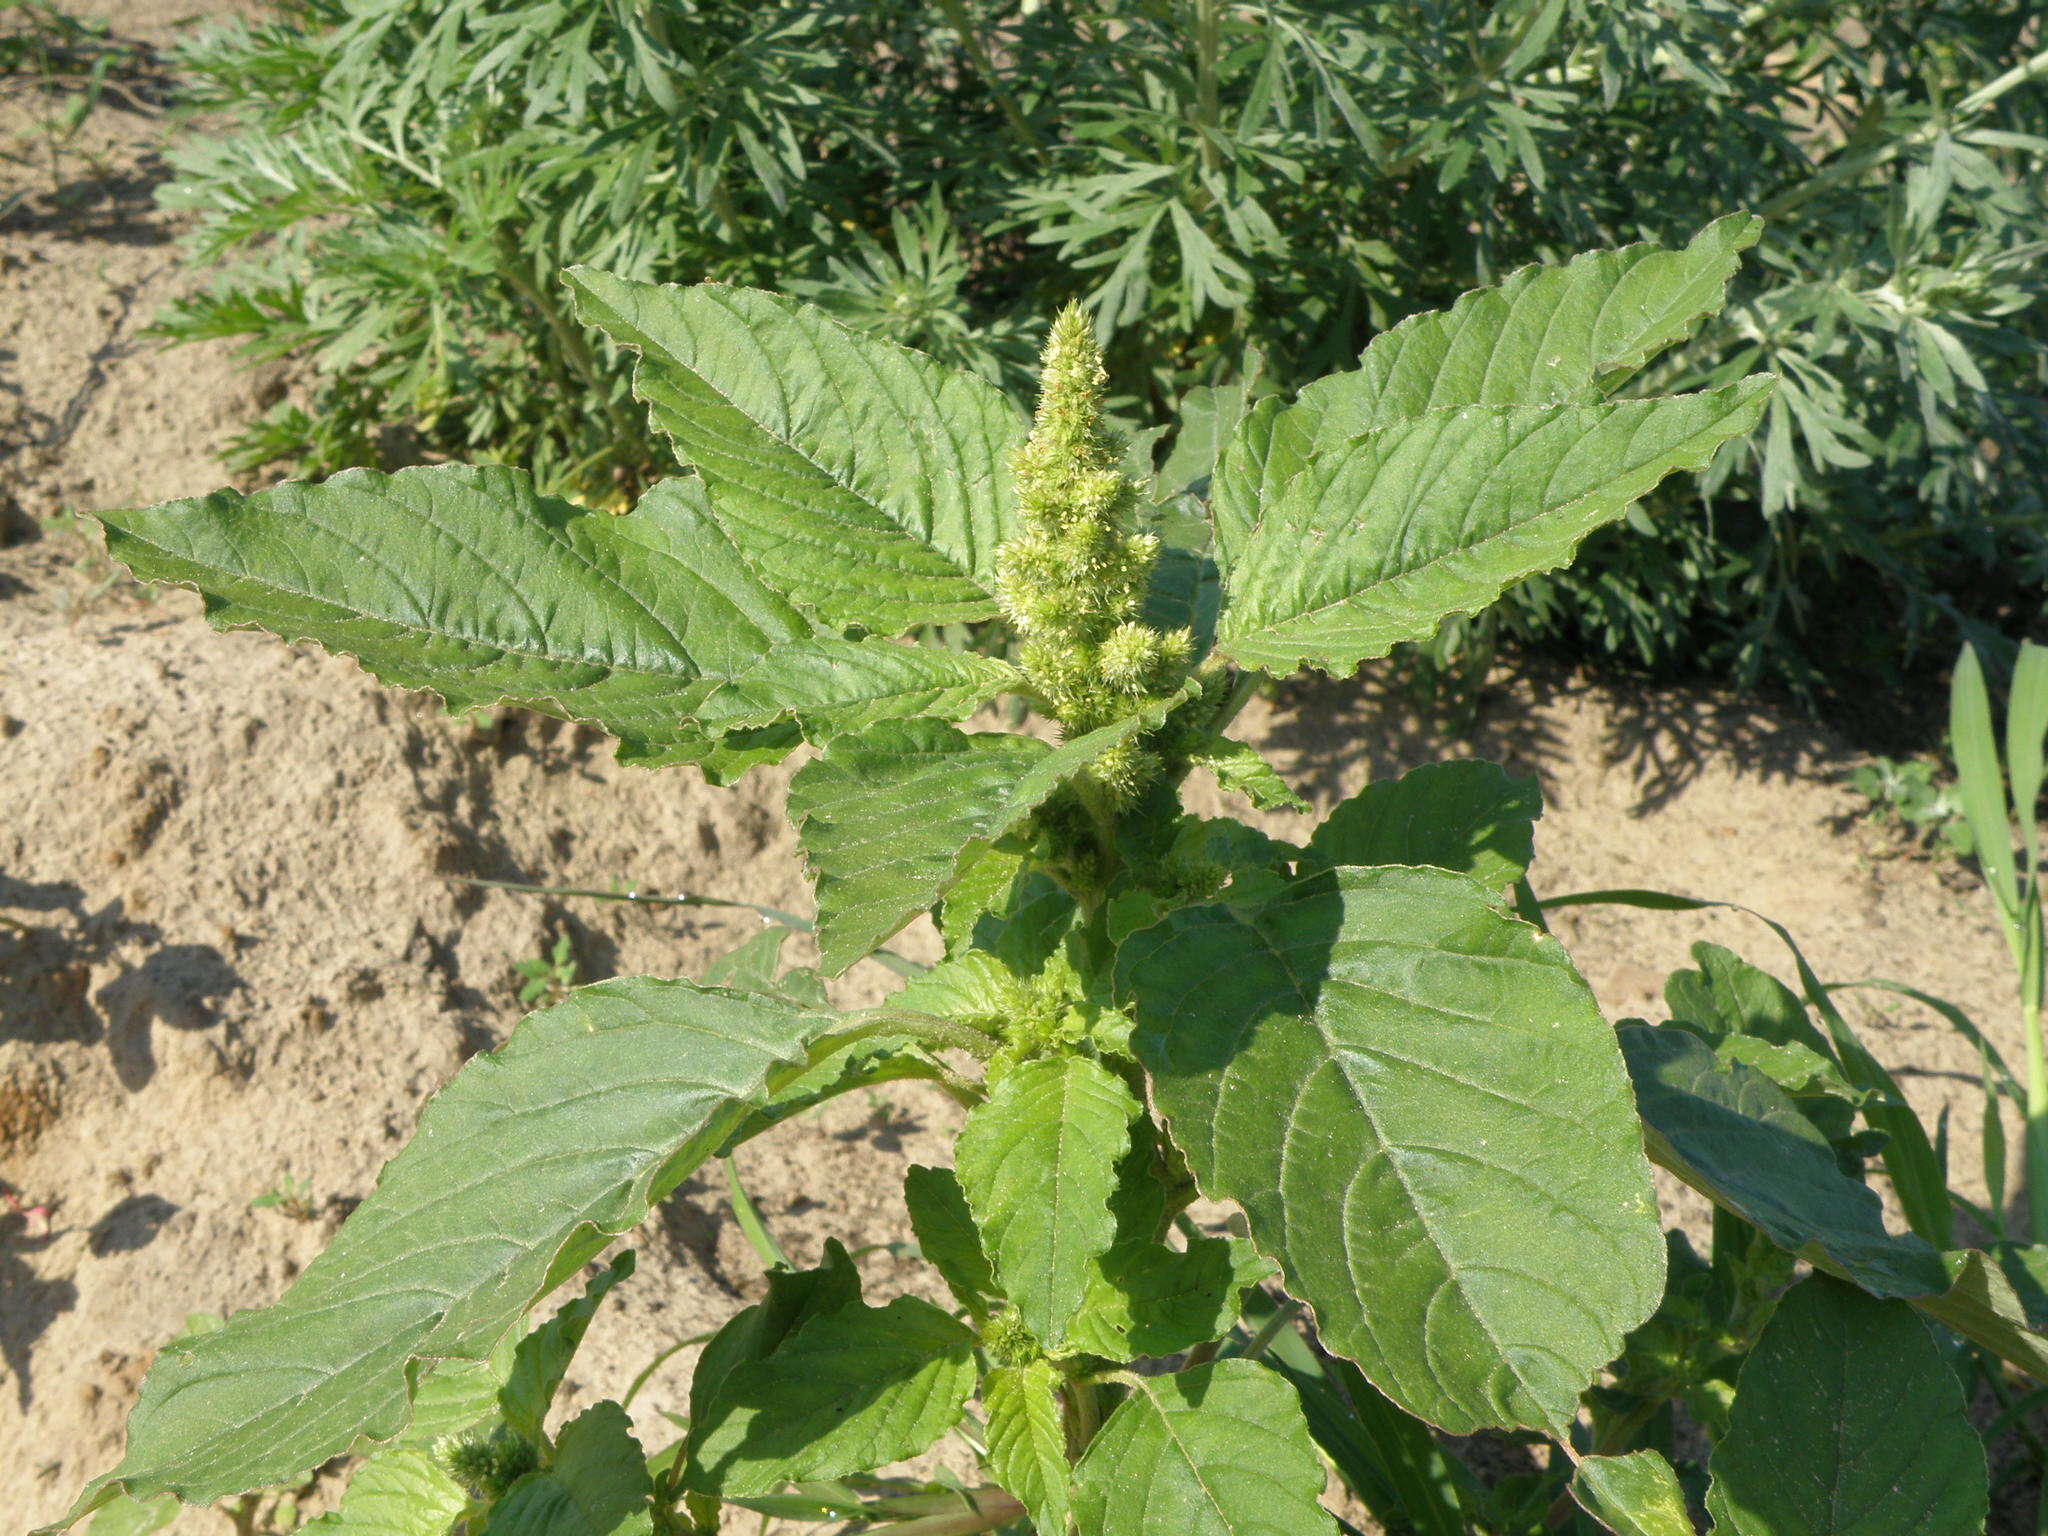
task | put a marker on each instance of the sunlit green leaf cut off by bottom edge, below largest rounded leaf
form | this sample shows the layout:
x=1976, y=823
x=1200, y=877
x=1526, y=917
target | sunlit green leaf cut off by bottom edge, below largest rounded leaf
x=1218, y=1451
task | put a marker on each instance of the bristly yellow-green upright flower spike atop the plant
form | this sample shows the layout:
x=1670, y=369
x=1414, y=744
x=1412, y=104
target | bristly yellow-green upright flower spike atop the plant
x=1074, y=581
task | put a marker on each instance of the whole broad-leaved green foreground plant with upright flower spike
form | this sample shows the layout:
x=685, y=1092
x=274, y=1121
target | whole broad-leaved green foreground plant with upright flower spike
x=1359, y=1037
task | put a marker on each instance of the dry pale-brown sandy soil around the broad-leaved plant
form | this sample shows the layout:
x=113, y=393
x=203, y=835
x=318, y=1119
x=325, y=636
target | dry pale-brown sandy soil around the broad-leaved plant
x=237, y=943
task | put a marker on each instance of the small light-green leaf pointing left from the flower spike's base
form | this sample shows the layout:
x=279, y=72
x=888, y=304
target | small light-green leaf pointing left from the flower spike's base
x=839, y=687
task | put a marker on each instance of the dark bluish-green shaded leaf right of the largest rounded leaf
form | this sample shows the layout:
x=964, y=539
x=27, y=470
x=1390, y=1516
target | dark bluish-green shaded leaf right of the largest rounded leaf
x=1738, y=1140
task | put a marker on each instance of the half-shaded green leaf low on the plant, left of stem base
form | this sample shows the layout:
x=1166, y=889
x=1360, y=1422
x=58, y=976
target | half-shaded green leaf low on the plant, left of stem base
x=847, y=1392
